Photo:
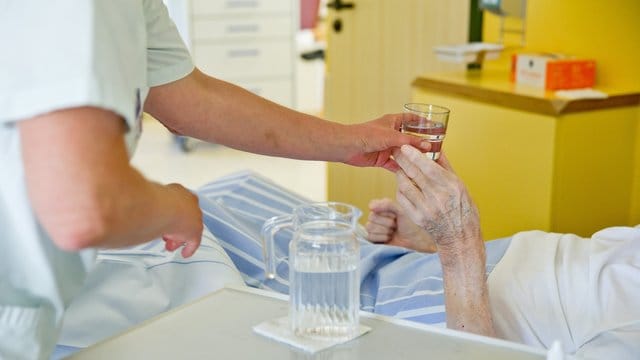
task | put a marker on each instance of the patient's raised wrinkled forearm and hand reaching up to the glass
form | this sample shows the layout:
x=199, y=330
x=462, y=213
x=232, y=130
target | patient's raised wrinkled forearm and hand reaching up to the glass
x=435, y=199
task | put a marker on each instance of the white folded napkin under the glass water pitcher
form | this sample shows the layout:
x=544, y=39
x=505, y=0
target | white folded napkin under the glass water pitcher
x=279, y=330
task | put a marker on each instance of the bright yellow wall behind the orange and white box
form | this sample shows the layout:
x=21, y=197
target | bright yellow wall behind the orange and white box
x=606, y=31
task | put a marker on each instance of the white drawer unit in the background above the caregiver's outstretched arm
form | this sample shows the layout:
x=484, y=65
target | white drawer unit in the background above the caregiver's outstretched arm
x=250, y=43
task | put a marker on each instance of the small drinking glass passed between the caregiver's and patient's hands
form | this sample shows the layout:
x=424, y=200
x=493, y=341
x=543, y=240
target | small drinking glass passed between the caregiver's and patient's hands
x=426, y=121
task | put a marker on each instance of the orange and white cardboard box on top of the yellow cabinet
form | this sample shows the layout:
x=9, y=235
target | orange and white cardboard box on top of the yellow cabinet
x=552, y=72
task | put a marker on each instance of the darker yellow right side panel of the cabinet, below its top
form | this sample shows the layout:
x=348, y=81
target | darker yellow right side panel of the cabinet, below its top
x=594, y=168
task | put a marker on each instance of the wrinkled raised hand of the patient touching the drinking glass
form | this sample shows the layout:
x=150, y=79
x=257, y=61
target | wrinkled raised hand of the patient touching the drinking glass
x=434, y=198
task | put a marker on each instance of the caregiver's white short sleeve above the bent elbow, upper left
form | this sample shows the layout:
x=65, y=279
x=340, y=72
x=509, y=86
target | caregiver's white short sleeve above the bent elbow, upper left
x=67, y=54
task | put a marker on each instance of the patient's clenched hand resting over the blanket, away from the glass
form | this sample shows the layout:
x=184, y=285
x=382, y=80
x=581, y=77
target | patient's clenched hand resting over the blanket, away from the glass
x=389, y=224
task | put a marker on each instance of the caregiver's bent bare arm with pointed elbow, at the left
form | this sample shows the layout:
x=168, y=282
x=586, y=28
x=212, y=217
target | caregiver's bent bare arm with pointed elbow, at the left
x=83, y=190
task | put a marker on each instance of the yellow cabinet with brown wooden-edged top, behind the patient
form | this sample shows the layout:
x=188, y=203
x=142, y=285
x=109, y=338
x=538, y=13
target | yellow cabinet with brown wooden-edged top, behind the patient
x=532, y=161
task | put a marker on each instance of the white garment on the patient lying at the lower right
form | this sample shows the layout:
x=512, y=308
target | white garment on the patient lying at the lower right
x=583, y=292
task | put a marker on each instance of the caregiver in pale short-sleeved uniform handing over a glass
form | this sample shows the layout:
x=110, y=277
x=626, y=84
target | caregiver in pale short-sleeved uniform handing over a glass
x=75, y=77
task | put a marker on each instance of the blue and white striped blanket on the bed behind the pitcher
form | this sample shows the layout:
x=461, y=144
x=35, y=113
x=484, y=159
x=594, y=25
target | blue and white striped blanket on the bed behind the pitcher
x=394, y=281
